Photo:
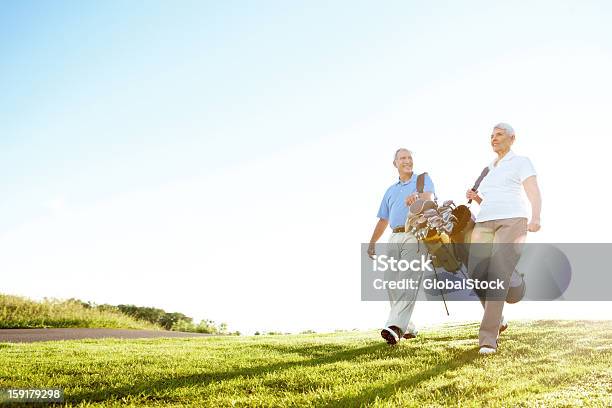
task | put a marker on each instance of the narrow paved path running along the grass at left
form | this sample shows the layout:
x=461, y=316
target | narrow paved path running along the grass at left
x=30, y=335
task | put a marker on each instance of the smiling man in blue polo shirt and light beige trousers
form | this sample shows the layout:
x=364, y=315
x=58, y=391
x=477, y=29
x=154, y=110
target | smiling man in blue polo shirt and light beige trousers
x=393, y=212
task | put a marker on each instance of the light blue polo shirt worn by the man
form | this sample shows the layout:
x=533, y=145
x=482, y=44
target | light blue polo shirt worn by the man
x=393, y=206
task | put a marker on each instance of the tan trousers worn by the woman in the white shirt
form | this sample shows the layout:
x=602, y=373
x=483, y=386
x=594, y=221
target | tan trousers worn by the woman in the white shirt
x=502, y=259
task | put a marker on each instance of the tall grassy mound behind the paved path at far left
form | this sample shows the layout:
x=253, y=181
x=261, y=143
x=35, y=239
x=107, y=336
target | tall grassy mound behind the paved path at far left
x=18, y=312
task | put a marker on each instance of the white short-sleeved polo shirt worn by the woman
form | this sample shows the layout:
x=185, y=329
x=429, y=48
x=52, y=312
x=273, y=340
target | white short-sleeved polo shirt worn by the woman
x=502, y=189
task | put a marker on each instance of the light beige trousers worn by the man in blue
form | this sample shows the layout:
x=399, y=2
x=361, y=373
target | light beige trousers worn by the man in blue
x=402, y=246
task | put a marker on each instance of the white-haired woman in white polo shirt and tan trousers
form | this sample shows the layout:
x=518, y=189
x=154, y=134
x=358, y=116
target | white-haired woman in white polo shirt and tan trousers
x=503, y=218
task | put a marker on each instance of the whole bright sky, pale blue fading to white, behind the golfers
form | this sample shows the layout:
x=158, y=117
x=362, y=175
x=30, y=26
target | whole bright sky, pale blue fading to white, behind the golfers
x=225, y=159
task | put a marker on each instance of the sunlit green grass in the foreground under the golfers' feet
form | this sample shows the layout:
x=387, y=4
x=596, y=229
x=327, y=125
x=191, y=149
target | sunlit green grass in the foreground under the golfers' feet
x=541, y=363
